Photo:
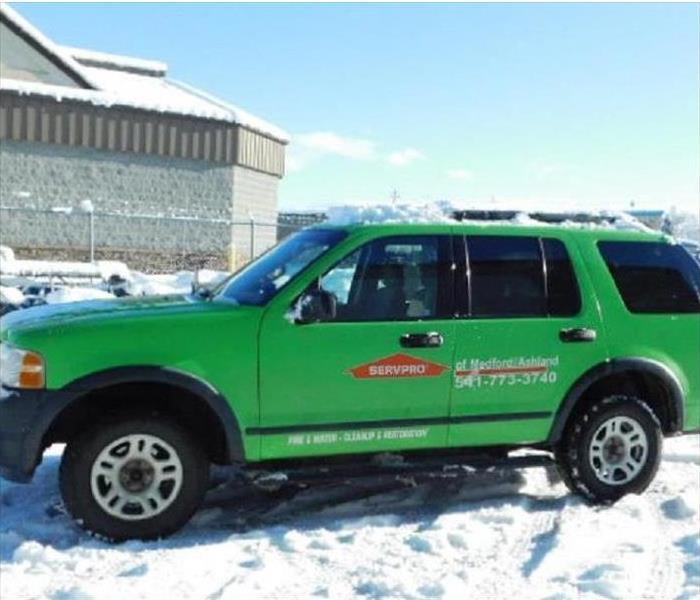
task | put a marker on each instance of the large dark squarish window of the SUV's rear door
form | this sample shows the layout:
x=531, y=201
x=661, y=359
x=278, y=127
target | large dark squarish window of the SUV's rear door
x=507, y=276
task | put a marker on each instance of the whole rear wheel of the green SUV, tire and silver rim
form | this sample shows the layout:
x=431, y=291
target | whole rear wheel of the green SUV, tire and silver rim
x=611, y=449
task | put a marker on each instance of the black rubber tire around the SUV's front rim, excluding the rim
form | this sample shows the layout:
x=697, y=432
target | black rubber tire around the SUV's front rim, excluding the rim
x=76, y=479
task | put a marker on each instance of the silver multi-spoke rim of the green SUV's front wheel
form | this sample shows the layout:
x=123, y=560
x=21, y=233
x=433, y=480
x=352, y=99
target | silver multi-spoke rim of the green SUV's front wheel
x=136, y=477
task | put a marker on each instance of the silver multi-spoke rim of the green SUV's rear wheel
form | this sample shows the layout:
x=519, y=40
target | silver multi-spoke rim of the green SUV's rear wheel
x=618, y=450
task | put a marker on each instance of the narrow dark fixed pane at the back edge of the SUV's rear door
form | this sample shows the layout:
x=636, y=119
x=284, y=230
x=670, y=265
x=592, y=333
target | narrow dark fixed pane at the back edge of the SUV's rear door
x=563, y=296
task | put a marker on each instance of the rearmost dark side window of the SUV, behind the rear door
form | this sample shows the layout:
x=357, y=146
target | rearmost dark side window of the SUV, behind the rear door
x=653, y=277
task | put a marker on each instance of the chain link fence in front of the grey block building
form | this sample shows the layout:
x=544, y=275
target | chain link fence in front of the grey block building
x=149, y=243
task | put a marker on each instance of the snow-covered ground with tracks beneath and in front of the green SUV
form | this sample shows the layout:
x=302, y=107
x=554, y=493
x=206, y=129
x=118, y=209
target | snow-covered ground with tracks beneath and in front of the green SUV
x=502, y=535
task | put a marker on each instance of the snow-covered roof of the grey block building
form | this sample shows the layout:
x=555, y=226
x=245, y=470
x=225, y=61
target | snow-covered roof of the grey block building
x=111, y=80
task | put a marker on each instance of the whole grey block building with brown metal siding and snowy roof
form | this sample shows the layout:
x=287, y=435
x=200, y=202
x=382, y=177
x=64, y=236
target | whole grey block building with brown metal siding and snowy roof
x=80, y=126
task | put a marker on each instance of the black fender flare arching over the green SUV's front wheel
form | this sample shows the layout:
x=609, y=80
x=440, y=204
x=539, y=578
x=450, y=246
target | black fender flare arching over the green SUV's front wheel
x=59, y=400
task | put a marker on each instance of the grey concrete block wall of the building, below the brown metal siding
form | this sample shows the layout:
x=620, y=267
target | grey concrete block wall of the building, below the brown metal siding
x=44, y=177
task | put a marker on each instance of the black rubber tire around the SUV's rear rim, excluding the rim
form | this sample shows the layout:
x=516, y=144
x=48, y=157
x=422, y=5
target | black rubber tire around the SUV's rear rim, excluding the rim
x=574, y=459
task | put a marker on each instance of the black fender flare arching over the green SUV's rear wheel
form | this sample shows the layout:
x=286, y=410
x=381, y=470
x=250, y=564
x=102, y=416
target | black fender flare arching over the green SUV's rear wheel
x=622, y=365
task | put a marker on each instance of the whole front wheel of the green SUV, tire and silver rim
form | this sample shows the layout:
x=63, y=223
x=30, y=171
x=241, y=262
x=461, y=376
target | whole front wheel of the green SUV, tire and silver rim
x=139, y=477
